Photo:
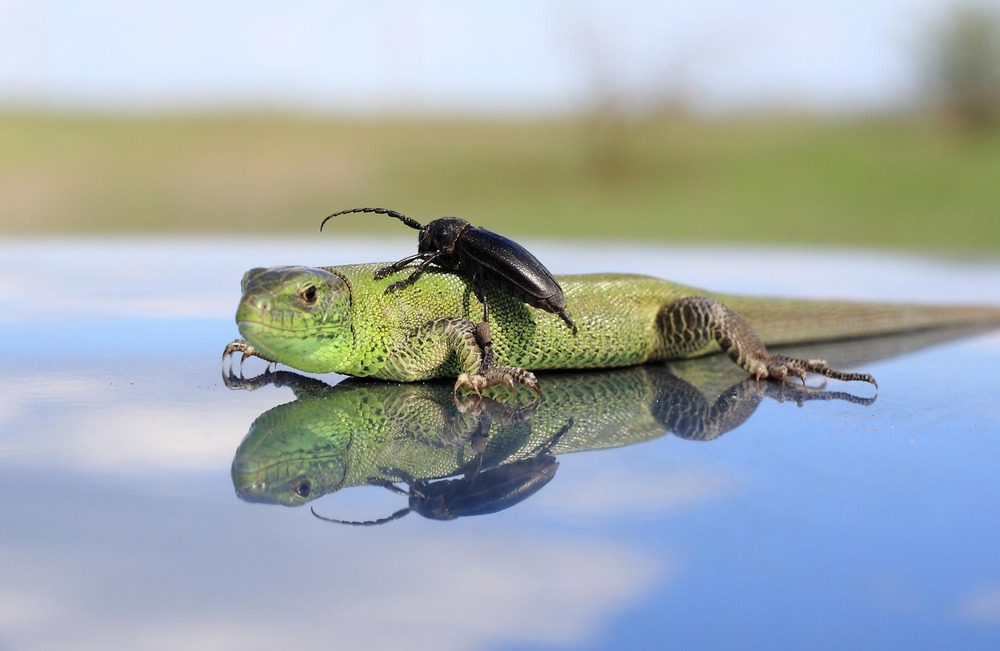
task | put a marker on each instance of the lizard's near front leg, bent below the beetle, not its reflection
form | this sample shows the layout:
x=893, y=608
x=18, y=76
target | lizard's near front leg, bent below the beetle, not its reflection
x=430, y=347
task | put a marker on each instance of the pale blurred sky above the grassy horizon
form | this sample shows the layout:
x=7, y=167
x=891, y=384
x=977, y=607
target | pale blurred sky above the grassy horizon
x=449, y=56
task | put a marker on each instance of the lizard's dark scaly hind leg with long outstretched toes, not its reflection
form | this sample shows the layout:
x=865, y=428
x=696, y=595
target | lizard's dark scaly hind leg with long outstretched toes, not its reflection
x=689, y=325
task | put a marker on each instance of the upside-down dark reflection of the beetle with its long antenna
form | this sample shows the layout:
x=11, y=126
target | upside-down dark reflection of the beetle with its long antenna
x=479, y=493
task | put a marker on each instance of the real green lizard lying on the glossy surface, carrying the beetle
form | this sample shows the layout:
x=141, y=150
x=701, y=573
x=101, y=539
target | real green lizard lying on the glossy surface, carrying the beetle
x=339, y=319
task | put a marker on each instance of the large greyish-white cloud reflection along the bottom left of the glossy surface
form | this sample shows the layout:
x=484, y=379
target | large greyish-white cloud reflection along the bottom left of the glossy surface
x=477, y=589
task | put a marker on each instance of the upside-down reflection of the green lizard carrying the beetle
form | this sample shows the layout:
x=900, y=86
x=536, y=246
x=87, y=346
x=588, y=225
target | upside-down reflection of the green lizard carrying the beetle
x=368, y=433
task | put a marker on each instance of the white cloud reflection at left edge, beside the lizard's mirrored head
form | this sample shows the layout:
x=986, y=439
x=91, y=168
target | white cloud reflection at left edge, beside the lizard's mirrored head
x=71, y=421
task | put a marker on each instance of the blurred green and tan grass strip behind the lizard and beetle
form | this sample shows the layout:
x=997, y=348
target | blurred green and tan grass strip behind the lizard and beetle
x=785, y=179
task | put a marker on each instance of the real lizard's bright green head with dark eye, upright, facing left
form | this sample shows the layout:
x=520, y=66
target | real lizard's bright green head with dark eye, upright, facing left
x=299, y=316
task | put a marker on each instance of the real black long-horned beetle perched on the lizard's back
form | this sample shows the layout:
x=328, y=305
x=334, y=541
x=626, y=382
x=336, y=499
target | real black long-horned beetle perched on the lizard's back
x=479, y=254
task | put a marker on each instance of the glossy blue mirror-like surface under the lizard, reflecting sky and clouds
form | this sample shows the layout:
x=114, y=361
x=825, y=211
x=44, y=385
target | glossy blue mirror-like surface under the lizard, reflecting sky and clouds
x=832, y=523
